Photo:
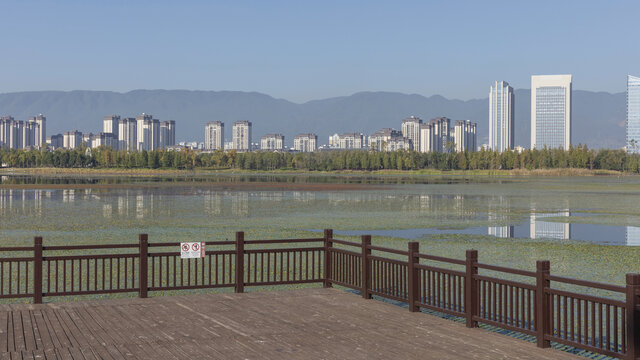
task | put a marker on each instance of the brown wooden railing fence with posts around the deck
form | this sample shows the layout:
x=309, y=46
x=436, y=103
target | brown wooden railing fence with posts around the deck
x=550, y=308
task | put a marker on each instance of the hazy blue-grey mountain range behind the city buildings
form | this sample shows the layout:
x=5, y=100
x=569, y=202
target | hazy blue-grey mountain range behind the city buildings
x=598, y=117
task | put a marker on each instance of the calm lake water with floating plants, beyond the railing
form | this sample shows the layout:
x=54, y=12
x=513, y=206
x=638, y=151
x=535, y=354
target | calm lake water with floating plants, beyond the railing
x=602, y=210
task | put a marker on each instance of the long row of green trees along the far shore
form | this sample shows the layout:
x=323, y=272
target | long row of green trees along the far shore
x=579, y=157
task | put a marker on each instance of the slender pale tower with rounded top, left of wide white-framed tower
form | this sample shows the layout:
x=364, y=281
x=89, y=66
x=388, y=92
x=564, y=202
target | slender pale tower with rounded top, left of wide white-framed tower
x=501, y=117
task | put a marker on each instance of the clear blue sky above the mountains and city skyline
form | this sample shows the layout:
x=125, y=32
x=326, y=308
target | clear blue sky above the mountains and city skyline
x=298, y=50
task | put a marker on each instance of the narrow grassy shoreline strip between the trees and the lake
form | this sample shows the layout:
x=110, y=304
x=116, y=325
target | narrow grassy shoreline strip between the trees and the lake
x=562, y=172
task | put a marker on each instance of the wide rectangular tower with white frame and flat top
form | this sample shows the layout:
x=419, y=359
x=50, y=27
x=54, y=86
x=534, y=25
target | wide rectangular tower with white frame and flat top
x=551, y=111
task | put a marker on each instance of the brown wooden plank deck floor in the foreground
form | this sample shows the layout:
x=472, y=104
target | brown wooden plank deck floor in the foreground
x=301, y=324
